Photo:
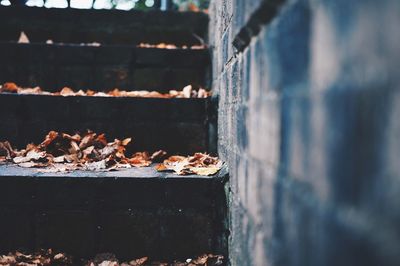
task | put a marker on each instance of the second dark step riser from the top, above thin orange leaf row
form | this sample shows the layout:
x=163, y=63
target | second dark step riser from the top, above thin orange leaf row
x=102, y=68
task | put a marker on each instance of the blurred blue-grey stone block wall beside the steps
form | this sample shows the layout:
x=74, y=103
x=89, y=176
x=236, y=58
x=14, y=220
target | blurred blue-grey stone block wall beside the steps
x=308, y=122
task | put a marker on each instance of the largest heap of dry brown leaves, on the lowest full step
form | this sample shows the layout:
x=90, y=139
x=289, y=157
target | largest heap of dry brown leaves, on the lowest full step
x=60, y=152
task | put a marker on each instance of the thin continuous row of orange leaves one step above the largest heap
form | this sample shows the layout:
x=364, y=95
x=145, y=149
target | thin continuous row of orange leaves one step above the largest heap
x=186, y=92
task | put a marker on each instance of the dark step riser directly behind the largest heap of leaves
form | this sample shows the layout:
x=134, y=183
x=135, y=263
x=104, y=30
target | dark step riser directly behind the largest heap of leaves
x=180, y=126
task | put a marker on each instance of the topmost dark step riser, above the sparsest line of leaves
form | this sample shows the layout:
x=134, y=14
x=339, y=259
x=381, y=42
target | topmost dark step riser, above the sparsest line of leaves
x=102, y=26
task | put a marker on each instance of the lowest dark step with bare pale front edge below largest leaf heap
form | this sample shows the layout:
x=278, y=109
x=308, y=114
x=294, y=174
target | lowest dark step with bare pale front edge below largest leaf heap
x=132, y=213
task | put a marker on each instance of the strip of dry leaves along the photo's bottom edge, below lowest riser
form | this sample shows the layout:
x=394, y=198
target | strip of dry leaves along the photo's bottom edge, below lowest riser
x=48, y=257
